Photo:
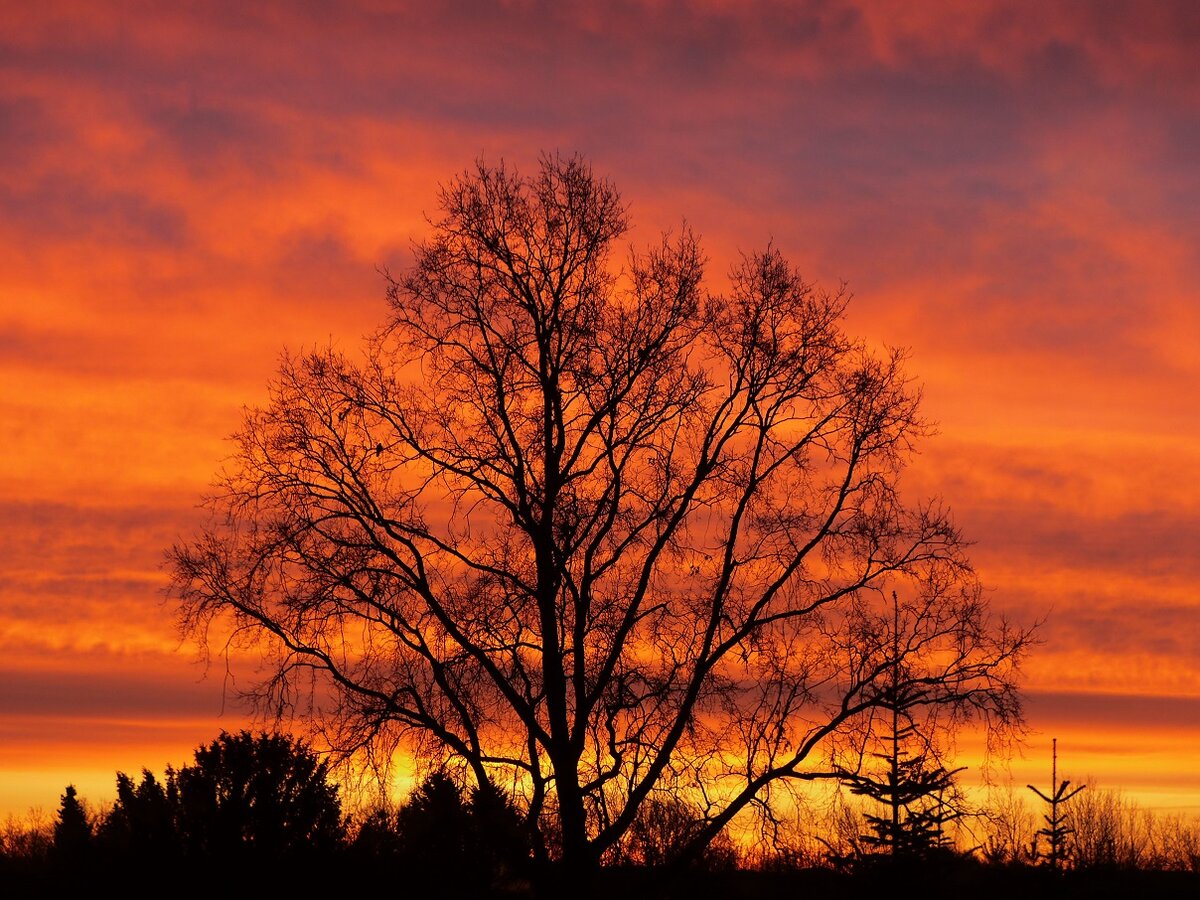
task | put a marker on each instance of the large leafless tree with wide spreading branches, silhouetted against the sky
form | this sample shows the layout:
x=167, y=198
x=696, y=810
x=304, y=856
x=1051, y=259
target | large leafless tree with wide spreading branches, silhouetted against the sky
x=590, y=529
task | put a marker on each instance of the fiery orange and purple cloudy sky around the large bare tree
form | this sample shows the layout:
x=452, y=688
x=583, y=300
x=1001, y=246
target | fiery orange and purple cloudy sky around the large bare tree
x=1010, y=190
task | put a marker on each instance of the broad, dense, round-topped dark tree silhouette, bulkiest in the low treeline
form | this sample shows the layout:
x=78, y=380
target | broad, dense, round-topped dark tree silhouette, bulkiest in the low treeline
x=262, y=796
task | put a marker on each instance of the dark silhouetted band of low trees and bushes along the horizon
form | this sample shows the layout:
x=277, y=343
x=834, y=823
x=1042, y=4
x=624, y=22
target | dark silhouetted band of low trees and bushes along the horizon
x=256, y=812
